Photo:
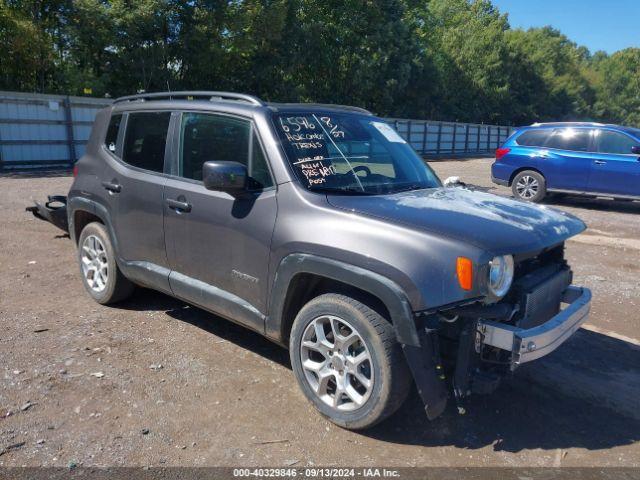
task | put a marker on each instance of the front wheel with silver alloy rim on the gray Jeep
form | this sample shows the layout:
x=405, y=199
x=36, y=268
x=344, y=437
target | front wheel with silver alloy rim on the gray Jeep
x=347, y=361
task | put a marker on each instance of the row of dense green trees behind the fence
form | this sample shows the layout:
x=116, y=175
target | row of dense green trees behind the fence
x=440, y=59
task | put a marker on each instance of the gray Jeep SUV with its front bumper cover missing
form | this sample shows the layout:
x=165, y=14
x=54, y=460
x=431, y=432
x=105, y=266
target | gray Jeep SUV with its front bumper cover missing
x=319, y=227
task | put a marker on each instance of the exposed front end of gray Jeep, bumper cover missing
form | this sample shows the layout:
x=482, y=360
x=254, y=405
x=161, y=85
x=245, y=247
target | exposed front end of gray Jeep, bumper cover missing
x=468, y=349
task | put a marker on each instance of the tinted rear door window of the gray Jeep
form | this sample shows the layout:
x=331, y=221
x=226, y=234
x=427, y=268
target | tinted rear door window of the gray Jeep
x=146, y=139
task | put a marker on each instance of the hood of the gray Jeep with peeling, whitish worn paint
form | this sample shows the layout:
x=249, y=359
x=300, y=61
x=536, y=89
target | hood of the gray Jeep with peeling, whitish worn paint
x=496, y=224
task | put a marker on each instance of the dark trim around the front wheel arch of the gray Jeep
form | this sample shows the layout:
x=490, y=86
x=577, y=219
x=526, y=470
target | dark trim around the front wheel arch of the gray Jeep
x=386, y=290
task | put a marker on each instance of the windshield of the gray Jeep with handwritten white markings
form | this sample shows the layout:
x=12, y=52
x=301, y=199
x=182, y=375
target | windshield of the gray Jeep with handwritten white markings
x=350, y=154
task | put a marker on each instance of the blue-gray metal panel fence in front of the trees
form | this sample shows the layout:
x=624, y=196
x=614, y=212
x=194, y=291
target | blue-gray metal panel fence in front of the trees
x=40, y=131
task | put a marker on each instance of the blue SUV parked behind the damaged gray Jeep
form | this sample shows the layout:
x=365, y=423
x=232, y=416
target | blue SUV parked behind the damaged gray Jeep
x=570, y=157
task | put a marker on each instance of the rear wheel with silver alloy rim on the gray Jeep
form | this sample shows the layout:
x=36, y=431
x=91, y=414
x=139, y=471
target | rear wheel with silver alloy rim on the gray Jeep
x=101, y=276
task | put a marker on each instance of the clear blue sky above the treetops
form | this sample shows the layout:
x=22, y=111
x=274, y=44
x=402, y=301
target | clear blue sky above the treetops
x=608, y=25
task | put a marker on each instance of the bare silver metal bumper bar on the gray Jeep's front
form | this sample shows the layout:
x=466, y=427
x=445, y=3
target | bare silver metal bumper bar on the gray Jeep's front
x=530, y=344
